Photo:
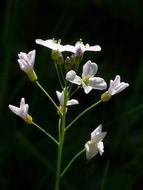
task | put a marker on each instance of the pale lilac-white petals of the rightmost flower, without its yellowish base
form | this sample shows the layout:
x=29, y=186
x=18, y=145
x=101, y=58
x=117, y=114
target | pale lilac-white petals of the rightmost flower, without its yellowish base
x=116, y=86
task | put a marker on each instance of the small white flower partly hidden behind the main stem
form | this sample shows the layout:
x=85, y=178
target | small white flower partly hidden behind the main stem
x=60, y=96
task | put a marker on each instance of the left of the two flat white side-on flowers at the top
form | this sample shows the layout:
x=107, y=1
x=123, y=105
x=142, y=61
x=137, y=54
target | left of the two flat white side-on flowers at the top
x=51, y=44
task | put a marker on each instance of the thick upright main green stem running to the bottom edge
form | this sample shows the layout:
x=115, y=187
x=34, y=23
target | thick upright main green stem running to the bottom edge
x=61, y=141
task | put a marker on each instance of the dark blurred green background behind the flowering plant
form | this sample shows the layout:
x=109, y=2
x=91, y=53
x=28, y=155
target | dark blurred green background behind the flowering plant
x=27, y=157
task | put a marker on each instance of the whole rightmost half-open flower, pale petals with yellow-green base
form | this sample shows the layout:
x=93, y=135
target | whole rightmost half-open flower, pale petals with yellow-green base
x=114, y=88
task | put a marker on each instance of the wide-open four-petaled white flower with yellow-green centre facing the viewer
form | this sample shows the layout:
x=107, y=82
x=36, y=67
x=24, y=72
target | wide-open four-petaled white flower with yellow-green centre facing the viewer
x=88, y=81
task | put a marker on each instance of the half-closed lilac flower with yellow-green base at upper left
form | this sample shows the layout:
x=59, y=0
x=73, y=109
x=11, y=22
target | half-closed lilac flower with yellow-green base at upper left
x=26, y=63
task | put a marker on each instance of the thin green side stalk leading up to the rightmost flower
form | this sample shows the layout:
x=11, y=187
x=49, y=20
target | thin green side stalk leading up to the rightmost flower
x=82, y=113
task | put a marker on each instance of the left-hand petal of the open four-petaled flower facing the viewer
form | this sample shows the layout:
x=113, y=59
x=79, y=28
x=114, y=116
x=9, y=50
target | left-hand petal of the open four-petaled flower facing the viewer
x=72, y=77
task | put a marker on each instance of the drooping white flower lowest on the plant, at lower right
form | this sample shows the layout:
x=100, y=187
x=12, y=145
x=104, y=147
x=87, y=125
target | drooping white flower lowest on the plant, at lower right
x=95, y=145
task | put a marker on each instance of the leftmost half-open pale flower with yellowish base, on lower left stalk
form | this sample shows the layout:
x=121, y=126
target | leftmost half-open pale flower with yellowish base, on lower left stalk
x=22, y=111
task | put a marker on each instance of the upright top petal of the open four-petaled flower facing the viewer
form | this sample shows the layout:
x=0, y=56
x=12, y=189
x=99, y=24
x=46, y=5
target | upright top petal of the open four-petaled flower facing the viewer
x=89, y=69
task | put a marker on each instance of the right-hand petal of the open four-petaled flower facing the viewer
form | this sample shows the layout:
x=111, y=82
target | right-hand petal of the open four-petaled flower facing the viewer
x=97, y=83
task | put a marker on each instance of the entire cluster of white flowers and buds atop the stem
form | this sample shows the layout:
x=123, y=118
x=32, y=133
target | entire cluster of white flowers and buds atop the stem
x=69, y=76
